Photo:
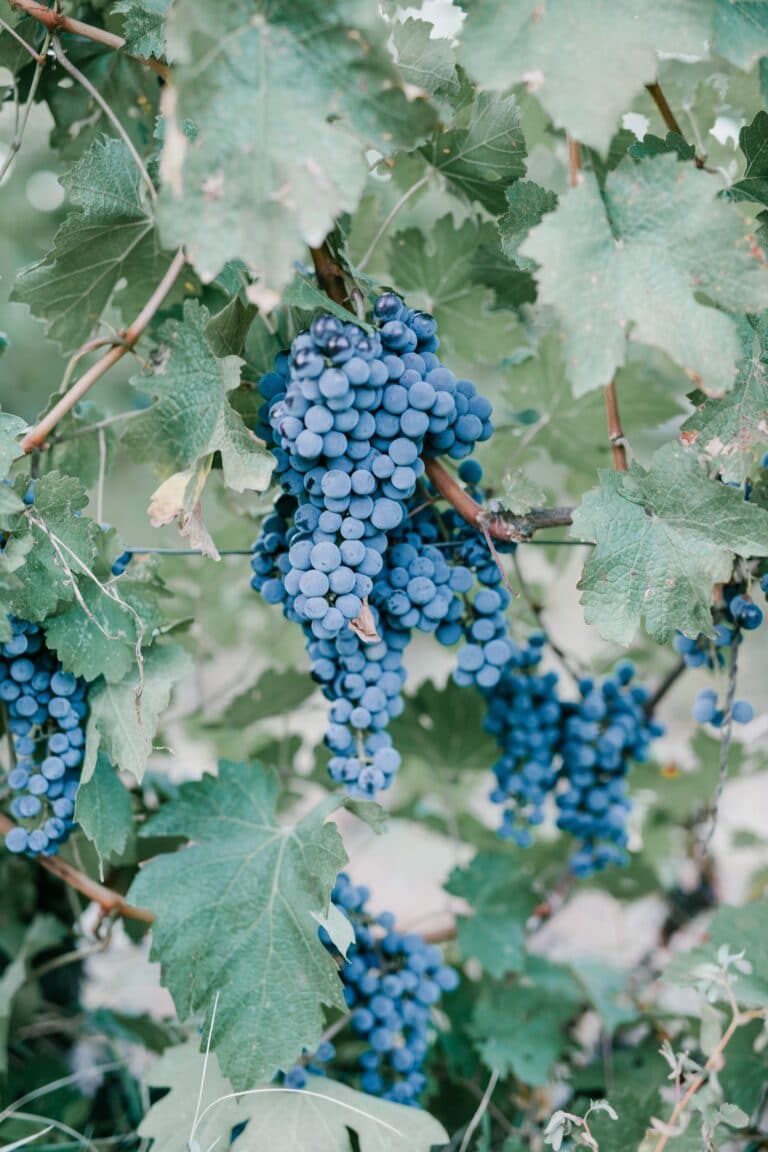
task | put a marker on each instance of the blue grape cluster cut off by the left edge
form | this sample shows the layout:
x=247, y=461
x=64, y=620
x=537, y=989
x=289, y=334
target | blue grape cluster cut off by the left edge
x=47, y=710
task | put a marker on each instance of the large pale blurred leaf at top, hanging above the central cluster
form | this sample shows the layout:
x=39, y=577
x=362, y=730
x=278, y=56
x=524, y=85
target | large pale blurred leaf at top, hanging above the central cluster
x=268, y=128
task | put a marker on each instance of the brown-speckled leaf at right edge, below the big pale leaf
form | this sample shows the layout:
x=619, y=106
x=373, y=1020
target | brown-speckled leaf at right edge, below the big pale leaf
x=733, y=430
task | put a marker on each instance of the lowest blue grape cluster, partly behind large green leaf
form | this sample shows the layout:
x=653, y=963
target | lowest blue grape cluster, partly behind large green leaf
x=392, y=983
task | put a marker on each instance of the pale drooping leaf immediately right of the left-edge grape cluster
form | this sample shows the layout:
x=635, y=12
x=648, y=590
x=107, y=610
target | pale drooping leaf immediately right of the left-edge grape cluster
x=125, y=725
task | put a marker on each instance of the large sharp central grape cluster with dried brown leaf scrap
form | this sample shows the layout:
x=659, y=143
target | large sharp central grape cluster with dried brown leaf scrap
x=351, y=416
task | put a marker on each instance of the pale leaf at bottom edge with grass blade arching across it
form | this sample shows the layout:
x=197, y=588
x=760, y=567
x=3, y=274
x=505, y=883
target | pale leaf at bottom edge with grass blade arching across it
x=320, y=1118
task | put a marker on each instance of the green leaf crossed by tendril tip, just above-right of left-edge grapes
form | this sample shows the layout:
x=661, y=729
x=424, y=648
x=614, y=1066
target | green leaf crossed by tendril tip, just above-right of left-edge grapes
x=102, y=642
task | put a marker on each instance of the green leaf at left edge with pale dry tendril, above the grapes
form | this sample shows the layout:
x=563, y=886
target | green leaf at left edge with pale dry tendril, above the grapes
x=44, y=539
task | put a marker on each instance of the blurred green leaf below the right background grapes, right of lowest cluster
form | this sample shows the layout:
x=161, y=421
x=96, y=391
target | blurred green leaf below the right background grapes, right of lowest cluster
x=503, y=901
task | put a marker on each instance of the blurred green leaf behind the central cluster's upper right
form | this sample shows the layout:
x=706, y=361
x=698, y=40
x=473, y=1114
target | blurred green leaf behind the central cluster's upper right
x=438, y=274
